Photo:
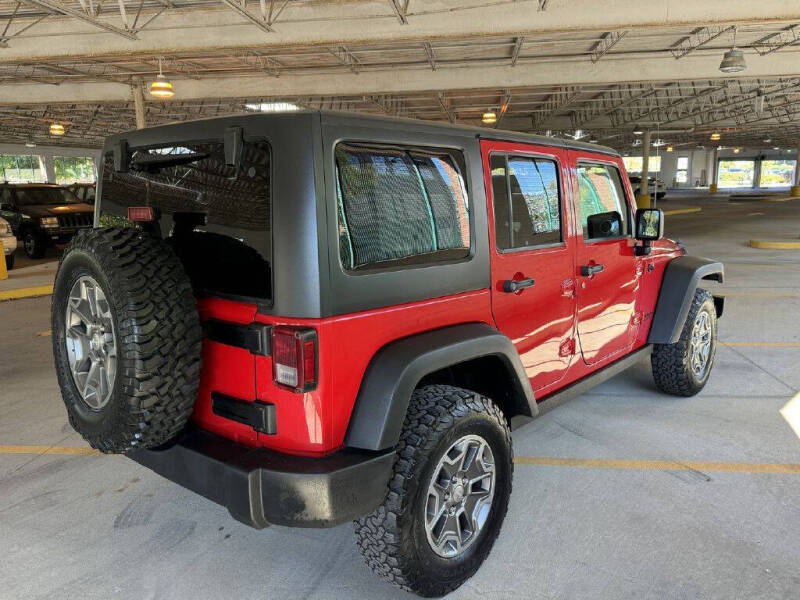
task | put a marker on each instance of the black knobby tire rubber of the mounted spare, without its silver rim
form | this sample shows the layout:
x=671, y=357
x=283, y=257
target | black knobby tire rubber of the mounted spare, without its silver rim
x=158, y=338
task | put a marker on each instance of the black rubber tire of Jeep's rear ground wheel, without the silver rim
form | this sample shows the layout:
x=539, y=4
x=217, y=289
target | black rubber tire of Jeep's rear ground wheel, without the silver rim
x=392, y=539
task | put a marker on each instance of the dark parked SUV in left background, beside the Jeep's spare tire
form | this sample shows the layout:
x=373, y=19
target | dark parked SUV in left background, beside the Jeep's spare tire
x=43, y=213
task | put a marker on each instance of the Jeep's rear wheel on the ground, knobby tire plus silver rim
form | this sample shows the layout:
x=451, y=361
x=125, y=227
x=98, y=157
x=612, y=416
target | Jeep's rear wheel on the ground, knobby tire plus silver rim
x=448, y=496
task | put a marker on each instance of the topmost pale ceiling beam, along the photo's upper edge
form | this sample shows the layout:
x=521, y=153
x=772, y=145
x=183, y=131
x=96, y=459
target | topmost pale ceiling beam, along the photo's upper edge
x=205, y=28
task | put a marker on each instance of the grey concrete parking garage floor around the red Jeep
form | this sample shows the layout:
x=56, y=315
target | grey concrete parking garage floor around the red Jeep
x=103, y=527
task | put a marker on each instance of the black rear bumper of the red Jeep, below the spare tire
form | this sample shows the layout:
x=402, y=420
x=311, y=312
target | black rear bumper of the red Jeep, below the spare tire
x=261, y=487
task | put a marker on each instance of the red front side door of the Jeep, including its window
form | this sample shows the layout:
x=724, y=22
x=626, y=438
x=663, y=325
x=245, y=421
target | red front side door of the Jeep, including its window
x=606, y=267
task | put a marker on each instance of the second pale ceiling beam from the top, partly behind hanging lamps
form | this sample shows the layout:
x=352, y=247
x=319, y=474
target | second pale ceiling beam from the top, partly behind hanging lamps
x=360, y=81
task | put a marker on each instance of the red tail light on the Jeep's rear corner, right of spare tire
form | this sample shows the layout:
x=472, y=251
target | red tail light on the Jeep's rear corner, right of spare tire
x=294, y=358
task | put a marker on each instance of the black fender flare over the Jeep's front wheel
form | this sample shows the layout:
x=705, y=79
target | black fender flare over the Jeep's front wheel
x=681, y=278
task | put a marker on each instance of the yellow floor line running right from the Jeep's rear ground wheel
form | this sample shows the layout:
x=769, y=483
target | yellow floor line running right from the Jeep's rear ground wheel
x=656, y=465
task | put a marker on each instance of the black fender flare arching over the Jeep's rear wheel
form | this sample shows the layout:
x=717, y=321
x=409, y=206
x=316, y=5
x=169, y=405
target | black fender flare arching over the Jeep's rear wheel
x=396, y=369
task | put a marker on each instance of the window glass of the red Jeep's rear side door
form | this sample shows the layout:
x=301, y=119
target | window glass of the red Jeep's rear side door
x=526, y=198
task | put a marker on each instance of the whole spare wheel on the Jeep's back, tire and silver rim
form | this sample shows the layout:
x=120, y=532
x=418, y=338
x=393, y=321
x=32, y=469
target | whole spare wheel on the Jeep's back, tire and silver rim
x=126, y=339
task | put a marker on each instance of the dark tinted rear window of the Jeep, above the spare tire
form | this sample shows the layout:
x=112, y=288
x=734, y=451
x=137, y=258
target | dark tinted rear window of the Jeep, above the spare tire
x=216, y=216
